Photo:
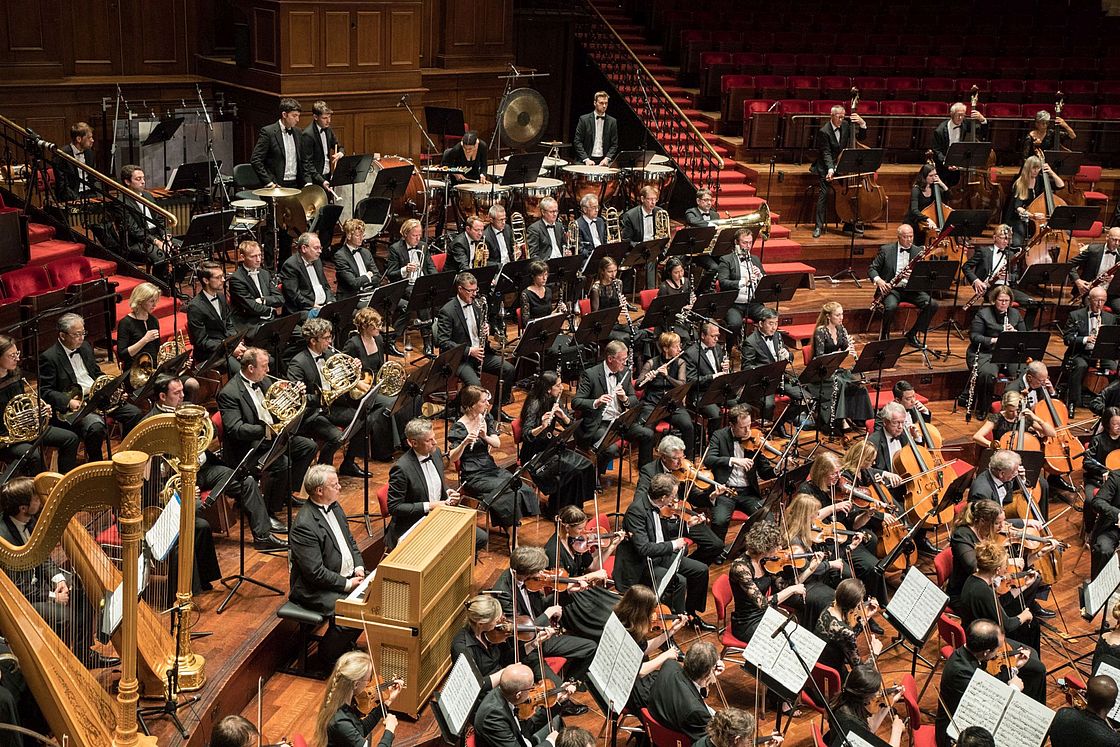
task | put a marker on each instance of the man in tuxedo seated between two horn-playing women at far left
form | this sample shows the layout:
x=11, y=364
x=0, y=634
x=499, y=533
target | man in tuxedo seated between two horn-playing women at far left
x=69, y=366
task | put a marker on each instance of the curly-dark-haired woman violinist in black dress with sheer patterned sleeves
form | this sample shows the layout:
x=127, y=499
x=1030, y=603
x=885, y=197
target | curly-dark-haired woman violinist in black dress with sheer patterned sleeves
x=753, y=589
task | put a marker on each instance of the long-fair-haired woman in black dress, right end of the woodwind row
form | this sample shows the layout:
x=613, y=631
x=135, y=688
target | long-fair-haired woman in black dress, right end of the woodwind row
x=843, y=403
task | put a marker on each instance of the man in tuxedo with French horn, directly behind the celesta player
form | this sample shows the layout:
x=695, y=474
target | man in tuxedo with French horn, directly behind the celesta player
x=246, y=423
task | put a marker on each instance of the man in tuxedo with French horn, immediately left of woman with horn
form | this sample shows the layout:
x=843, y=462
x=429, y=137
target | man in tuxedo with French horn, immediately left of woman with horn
x=321, y=423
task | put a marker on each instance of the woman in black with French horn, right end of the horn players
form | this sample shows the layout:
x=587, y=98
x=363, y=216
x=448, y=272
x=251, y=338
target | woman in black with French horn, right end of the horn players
x=369, y=348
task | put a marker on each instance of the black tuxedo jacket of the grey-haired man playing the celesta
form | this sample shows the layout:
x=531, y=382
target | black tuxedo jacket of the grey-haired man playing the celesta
x=315, y=582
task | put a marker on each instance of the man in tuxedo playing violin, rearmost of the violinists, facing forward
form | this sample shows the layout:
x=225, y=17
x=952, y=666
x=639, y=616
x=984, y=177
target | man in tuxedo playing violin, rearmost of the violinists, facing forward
x=738, y=459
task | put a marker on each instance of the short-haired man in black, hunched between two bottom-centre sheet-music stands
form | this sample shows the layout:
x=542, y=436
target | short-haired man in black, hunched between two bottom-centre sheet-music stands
x=677, y=699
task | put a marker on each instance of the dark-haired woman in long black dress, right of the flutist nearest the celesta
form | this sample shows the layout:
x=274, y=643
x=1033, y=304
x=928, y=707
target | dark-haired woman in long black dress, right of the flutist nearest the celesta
x=567, y=478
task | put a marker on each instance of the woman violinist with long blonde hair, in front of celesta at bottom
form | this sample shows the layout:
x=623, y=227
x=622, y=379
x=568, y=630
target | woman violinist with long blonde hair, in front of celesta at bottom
x=340, y=723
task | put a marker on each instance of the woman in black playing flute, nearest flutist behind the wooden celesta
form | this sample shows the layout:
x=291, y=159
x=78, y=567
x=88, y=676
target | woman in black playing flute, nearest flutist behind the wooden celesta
x=472, y=438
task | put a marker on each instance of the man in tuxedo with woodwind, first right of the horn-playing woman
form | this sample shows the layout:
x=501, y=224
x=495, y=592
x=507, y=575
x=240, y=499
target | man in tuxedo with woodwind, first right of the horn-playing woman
x=461, y=323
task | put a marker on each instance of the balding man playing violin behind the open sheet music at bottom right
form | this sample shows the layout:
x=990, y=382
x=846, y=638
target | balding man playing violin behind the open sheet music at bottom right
x=983, y=643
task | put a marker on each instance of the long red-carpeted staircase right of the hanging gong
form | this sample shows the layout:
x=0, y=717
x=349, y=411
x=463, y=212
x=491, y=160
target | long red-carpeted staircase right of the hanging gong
x=705, y=156
